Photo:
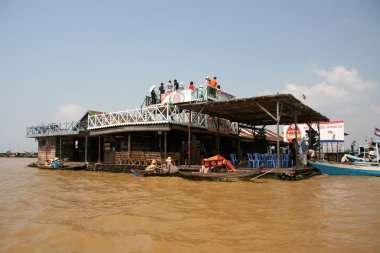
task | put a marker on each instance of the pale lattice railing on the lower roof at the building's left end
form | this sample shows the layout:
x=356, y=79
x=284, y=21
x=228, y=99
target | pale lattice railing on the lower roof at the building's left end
x=51, y=129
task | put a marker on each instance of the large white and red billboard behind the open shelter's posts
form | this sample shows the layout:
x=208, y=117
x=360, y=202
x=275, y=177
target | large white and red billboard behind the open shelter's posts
x=329, y=131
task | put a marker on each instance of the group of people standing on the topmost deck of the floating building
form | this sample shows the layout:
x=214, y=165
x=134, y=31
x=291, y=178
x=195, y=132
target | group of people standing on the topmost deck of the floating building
x=211, y=85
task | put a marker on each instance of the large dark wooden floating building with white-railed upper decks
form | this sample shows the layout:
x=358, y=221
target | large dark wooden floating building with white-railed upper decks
x=187, y=125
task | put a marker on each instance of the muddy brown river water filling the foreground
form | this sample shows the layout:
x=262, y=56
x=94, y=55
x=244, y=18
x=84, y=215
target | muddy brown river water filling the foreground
x=74, y=211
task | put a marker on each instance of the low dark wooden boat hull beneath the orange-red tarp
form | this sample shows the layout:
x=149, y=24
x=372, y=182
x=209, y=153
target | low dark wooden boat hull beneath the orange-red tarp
x=222, y=177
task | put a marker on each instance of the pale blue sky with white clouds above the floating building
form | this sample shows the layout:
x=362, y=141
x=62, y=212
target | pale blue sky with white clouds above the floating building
x=61, y=58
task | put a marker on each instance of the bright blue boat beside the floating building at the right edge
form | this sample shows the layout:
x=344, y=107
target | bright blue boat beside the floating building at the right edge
x=353, y=169
